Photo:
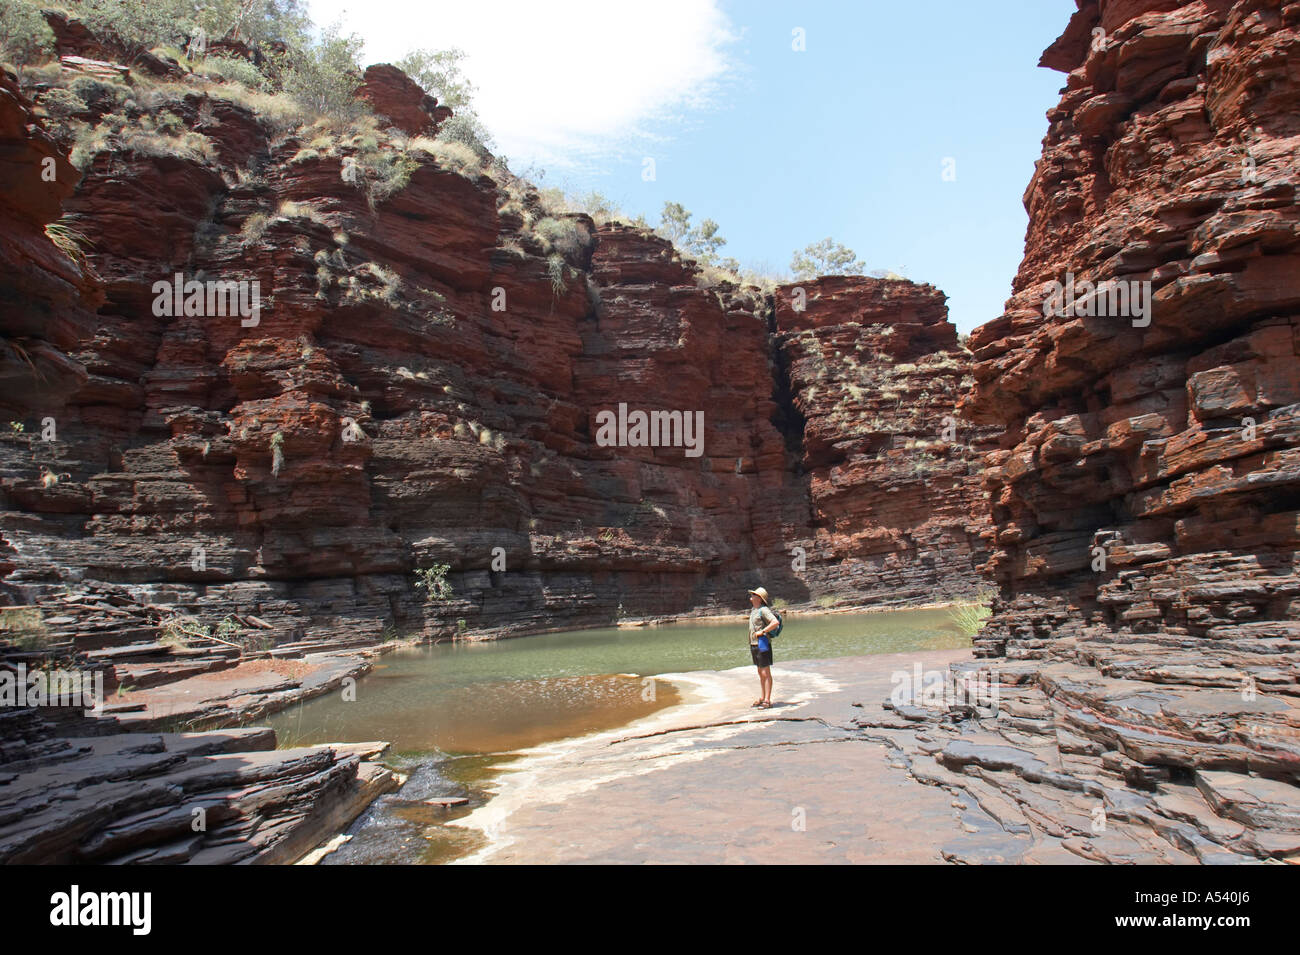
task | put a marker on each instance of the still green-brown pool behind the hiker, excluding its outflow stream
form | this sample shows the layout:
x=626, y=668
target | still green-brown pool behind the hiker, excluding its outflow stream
x=495, y=697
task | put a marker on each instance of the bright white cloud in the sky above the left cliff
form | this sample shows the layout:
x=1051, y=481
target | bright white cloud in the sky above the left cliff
x=562, y=81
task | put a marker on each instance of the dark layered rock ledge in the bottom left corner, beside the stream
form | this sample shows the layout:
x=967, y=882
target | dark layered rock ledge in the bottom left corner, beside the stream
x=149, y=798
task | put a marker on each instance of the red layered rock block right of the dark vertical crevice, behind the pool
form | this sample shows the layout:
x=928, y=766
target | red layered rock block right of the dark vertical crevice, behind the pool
x=876, y=372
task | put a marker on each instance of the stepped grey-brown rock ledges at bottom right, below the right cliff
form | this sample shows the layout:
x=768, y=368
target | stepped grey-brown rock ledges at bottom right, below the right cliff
x=1112, y=771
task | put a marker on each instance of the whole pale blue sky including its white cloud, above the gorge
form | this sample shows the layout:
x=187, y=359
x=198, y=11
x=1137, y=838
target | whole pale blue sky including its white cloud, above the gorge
x=847, y=138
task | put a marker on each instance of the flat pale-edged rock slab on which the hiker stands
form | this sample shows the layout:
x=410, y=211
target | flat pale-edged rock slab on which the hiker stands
x=716, y=782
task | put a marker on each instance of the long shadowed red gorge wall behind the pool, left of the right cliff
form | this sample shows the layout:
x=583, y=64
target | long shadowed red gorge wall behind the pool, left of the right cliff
x=422, y=388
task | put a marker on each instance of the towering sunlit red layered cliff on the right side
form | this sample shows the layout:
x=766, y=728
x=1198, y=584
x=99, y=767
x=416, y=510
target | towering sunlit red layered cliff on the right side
x=1145, y=496
